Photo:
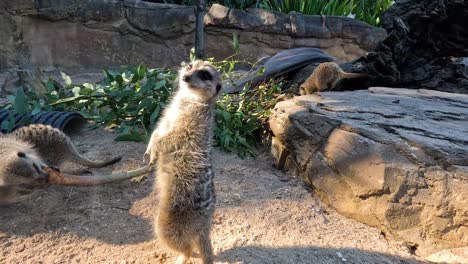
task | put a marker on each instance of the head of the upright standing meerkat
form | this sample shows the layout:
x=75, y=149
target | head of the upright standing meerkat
x=200, y=79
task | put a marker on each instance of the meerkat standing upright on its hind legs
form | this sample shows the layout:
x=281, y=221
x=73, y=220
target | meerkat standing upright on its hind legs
x=181, y=144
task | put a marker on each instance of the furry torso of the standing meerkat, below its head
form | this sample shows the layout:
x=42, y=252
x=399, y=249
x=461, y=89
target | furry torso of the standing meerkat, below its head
x=185, y=177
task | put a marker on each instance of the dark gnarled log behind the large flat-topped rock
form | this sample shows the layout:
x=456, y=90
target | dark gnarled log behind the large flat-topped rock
x=425, y=39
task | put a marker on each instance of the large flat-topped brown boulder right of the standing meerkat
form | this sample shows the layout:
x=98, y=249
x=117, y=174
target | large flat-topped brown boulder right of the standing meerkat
x=392, y=158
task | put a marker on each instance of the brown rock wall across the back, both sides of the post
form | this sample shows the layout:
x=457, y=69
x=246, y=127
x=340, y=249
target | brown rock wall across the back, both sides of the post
x=77, y=34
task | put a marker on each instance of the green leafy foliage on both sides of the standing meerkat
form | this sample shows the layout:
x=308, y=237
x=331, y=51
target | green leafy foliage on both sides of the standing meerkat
x=132, y=100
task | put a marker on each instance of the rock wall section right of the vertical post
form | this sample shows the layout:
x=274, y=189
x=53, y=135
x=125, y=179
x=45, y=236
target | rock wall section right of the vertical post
x=263, y=32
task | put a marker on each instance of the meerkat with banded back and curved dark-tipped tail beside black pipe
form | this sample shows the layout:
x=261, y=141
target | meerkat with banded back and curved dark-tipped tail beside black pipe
x=54, y=147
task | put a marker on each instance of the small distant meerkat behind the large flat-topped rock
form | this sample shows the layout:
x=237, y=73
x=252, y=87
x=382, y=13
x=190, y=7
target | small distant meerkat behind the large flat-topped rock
x=325, y=77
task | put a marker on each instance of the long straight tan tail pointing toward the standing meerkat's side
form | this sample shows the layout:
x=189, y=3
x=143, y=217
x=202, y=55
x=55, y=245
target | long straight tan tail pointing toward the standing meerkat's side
x=57, y=178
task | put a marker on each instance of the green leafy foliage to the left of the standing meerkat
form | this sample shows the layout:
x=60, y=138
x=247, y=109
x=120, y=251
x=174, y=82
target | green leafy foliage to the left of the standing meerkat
x=126, y=100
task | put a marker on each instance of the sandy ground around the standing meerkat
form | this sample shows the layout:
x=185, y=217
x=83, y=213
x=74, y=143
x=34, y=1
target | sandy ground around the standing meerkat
x=262, y=216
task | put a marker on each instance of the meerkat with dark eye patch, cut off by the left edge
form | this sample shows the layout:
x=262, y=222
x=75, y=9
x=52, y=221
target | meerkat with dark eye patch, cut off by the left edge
x=21, y=170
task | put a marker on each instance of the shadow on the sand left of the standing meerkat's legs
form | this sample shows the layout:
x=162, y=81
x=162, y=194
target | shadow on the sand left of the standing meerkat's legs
x=102, y=212
